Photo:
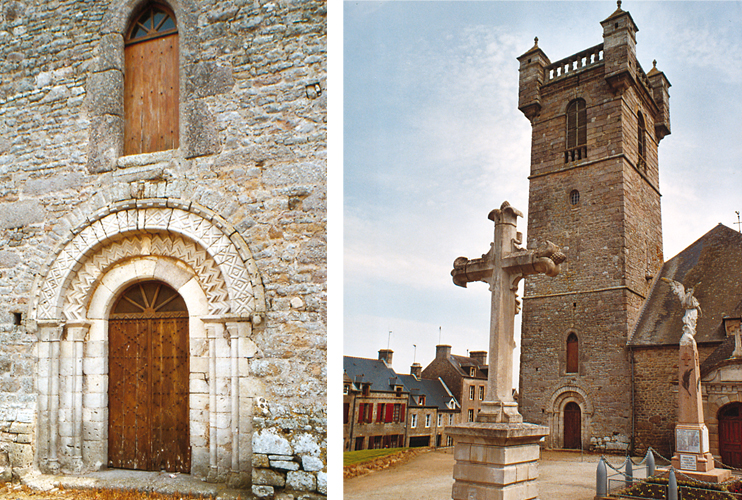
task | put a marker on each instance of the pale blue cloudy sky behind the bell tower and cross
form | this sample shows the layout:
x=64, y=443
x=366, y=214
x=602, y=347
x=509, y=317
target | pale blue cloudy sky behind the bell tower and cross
x=433, y=140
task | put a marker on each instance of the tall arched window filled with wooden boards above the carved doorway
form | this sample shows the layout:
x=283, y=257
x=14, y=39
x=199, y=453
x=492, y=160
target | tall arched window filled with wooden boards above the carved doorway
x=151, y=82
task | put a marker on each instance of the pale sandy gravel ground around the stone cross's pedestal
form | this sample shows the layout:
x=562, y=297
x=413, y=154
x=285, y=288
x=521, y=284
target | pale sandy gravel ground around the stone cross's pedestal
x=562, y=476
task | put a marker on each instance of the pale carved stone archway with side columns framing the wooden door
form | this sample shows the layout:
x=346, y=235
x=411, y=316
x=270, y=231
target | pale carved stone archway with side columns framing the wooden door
x=208, y=263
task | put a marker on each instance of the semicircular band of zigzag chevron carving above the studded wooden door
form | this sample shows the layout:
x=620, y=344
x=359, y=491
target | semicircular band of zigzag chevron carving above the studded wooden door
x=230, y=283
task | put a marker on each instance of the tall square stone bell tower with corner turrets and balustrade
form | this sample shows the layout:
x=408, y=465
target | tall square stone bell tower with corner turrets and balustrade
x=597, y=119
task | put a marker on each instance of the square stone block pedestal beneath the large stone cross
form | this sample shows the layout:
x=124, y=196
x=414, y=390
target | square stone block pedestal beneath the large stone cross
x=496, y=461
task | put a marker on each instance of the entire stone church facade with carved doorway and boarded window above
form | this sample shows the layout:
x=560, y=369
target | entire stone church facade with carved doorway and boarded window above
x=211, y=197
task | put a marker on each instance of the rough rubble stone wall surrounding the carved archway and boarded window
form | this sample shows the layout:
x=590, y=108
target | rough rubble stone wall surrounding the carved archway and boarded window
x=253, y=152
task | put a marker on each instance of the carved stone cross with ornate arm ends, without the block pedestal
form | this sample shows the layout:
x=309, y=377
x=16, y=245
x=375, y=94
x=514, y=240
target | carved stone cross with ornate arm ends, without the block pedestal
x=502, y=268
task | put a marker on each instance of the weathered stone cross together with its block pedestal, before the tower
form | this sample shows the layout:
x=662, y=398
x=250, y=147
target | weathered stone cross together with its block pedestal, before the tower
x=497, y=456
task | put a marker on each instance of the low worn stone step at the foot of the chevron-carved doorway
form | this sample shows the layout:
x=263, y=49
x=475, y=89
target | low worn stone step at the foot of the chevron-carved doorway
x=166, y=483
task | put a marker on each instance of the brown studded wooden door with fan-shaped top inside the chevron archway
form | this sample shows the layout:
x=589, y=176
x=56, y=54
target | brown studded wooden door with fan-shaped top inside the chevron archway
x=148, y=384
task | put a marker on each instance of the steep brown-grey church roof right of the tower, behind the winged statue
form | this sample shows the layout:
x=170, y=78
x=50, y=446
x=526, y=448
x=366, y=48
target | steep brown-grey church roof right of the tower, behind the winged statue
x=713, y=266
